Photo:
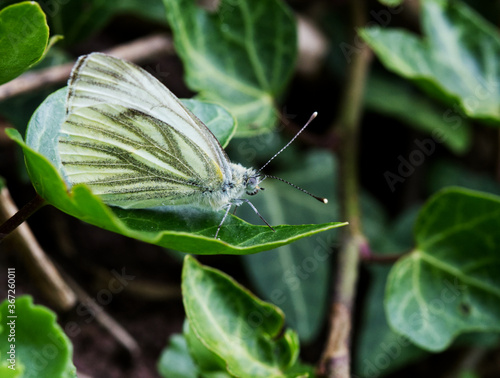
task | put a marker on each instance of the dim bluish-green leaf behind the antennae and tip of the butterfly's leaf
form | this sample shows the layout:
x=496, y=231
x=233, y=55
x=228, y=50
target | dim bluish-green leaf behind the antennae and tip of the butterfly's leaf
x=296, y=277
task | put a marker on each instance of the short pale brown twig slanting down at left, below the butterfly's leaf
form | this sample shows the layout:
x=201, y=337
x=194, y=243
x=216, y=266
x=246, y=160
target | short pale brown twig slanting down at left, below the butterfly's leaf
x=40, y=266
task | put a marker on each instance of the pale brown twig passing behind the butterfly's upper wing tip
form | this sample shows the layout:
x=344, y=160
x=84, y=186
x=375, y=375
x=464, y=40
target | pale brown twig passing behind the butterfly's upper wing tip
x=137, y=51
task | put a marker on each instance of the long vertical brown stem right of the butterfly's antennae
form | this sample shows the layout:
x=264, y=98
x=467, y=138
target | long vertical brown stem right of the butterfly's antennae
x=336, y=359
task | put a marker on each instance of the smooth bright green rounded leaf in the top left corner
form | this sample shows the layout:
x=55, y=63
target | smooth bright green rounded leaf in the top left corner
x=24, y=35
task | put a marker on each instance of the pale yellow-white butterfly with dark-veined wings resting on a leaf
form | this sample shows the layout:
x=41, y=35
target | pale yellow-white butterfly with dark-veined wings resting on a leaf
x=135, y=145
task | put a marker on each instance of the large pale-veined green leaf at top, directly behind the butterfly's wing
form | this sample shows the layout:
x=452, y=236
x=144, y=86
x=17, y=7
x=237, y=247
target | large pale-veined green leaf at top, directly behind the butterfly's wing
x=240, y=56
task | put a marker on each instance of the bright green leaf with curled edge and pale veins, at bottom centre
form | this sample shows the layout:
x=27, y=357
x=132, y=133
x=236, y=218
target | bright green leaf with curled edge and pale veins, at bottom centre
x=241, y=329
